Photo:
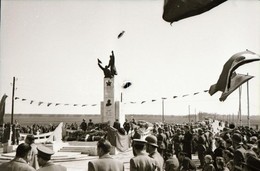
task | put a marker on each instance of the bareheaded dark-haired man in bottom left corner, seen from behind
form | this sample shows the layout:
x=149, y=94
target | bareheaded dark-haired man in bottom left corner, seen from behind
x=20, y=161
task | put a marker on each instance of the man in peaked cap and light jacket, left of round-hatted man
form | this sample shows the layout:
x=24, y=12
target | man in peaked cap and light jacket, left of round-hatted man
x=141, y=161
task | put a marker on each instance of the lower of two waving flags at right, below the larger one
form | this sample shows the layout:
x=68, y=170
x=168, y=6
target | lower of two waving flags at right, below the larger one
x=236, y=81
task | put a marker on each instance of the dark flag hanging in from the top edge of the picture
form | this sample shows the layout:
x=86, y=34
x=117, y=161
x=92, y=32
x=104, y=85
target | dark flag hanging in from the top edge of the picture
x=174, y=10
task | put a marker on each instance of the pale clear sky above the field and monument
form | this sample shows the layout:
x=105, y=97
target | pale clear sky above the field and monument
x=51, y=48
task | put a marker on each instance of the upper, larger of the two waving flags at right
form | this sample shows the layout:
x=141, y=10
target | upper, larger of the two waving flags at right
x=223, y=78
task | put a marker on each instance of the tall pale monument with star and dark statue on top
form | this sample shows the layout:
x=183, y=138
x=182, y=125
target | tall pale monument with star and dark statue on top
x=110, y=109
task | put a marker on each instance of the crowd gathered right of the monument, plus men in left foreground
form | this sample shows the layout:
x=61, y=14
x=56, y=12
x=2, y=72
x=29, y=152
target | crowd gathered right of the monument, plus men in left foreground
x=169, y=147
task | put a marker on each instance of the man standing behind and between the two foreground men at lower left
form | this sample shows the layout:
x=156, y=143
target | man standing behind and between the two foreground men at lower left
x=30, y=141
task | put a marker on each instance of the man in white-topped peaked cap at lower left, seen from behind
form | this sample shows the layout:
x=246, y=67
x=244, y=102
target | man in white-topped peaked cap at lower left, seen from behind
x=44, y=157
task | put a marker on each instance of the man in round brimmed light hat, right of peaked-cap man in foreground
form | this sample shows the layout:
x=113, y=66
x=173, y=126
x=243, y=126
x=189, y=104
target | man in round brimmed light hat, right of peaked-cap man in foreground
x=151, y=148
